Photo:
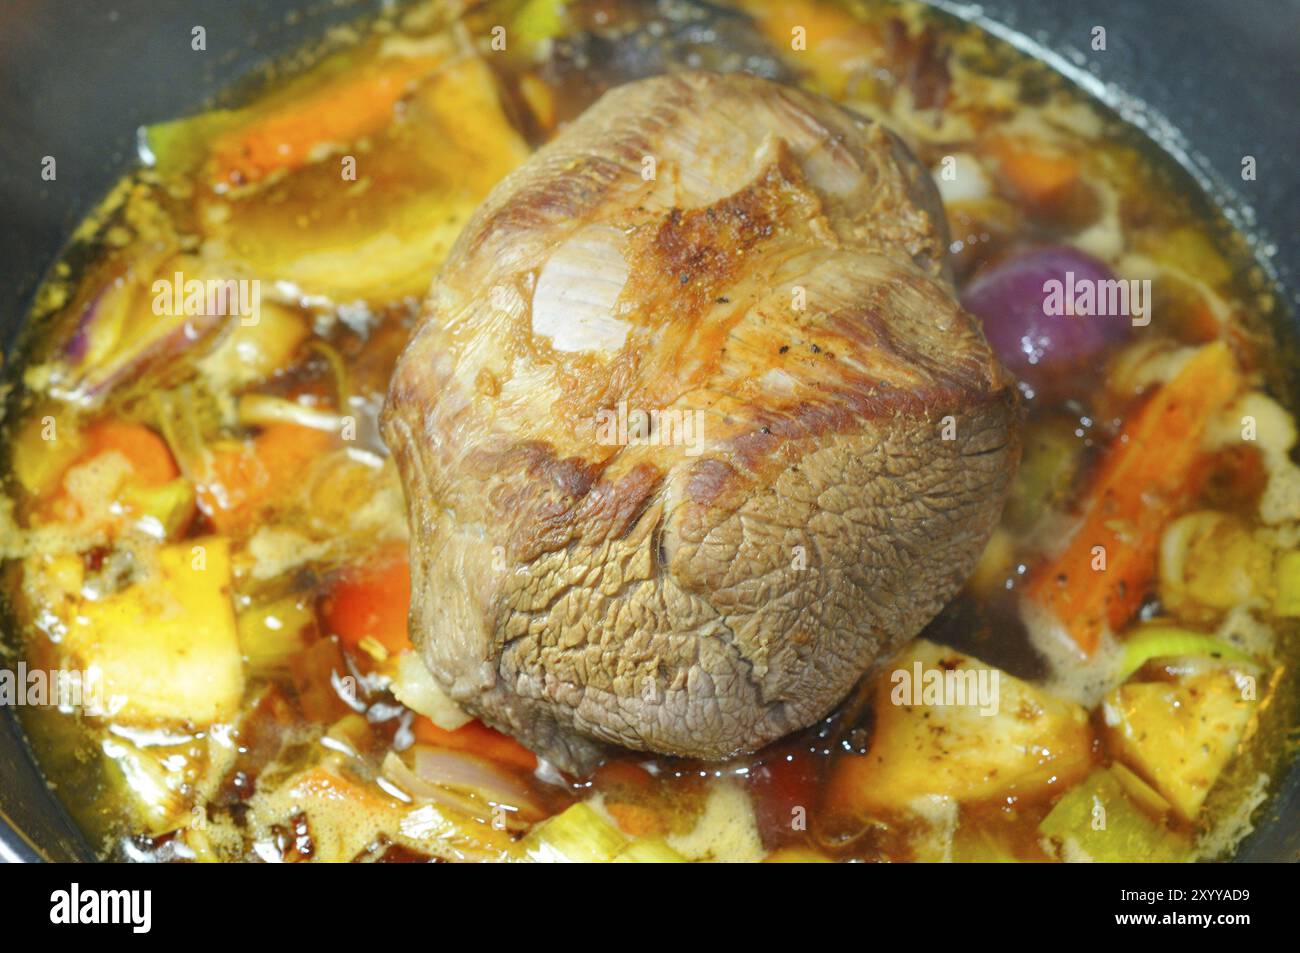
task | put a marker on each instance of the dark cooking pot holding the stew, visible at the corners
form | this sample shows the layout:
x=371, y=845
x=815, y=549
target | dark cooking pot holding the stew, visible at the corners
x=1212, y=84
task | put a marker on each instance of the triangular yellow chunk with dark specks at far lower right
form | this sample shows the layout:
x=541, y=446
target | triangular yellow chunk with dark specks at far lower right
x=1180, y=737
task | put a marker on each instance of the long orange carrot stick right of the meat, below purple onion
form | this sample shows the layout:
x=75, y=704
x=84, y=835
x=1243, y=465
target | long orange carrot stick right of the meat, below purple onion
x=1146, y=480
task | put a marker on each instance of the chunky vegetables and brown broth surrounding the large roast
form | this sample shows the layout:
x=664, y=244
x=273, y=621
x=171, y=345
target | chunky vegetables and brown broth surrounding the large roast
x=202, y=521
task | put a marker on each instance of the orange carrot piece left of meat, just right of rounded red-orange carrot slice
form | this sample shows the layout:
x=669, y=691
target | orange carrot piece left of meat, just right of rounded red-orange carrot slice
x=240, y=482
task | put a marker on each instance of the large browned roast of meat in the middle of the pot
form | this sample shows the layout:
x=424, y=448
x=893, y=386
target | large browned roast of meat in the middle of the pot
x=825, y=448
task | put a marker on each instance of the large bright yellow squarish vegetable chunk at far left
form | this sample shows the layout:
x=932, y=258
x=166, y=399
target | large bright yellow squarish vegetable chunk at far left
x=167, y=648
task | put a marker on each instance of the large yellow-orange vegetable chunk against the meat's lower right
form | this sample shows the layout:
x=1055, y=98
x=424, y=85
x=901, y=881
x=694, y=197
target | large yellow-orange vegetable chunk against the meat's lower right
x=1030, y=747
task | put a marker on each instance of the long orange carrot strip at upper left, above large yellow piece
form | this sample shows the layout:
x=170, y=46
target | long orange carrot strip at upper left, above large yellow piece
x=337, y=114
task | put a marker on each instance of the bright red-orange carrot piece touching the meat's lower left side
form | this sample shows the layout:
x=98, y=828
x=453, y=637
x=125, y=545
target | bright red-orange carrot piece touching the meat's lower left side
x=374, y=601
